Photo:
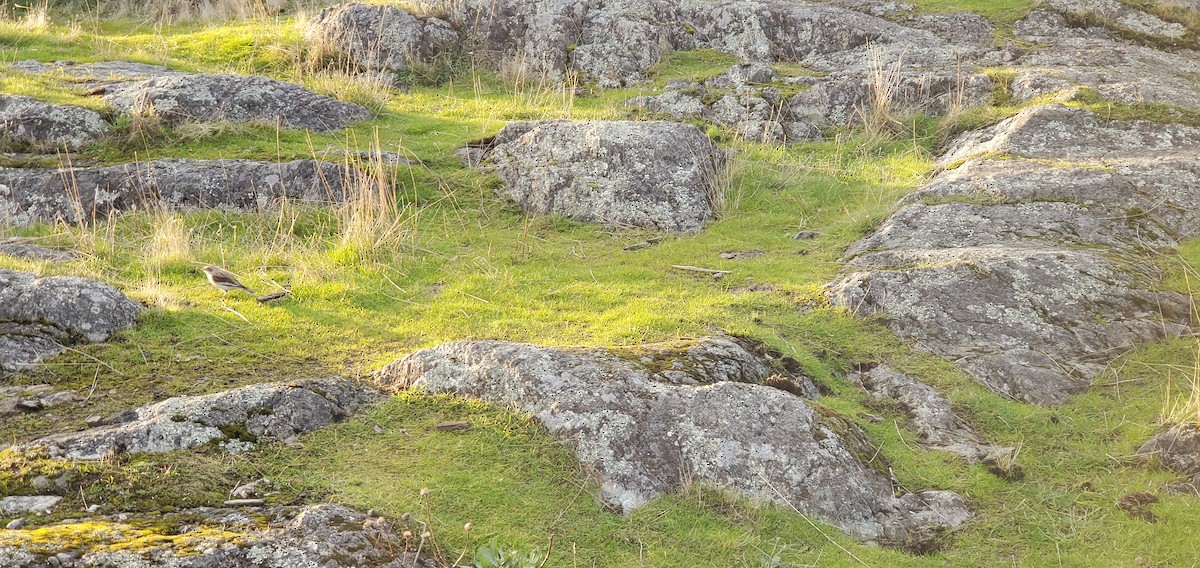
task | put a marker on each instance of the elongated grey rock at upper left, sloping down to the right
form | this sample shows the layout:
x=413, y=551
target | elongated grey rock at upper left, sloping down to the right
x=177, y=97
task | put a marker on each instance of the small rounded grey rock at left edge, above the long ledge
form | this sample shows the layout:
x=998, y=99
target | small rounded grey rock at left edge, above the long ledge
x=49, y=127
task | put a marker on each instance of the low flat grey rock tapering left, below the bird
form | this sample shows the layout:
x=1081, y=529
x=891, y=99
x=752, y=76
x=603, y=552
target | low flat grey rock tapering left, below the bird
x=248, y=415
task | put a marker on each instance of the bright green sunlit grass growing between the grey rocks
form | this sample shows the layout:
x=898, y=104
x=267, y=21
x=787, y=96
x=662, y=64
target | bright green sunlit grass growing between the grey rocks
x=470, y=266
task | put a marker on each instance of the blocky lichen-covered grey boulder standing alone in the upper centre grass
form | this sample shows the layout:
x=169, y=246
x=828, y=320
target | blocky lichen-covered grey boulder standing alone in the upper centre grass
x=658, y=176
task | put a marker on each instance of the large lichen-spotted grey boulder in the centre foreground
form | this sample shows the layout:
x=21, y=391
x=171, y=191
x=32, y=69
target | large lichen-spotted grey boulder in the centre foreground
x=645, y=432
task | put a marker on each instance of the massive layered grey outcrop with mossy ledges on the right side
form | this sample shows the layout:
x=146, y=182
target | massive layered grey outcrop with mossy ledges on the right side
x=1058, y=259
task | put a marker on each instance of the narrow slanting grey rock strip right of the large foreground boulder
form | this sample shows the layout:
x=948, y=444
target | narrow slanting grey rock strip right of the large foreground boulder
x=938, y=426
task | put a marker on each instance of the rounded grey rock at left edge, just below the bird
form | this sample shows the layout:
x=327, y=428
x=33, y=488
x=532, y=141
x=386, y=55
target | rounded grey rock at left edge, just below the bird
x=40, y=318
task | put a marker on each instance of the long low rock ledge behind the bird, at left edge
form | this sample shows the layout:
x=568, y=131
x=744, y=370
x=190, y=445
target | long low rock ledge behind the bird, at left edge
x=80, y=195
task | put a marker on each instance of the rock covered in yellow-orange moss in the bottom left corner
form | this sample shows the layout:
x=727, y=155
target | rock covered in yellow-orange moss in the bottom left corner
x=328, y=536
